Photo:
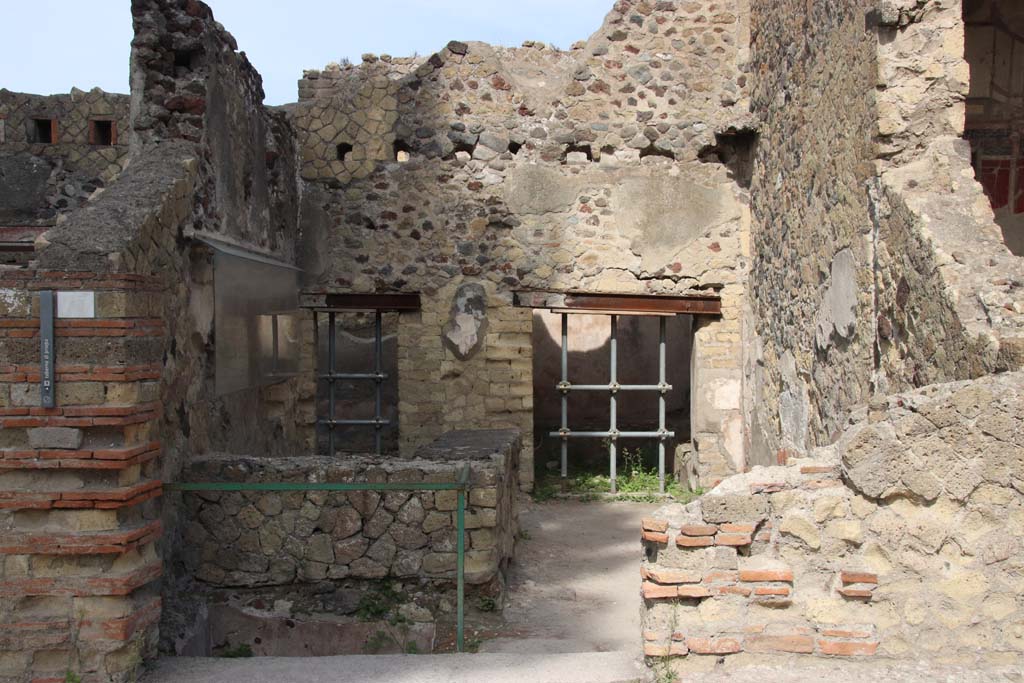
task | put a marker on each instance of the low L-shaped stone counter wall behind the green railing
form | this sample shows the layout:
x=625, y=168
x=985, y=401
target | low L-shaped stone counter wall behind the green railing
x=360, y=566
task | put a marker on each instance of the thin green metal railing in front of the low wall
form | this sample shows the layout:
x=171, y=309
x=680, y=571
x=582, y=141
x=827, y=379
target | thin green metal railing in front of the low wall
x=461, y=486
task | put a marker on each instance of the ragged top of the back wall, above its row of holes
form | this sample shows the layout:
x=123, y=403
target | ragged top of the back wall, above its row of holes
x=657, y=79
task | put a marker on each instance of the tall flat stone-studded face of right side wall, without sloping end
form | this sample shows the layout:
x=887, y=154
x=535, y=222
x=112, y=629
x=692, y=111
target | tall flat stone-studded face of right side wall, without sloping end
x=812, y=282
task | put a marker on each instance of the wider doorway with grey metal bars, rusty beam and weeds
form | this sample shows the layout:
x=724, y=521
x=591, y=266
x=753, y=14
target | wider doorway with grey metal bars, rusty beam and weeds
x=612, y=391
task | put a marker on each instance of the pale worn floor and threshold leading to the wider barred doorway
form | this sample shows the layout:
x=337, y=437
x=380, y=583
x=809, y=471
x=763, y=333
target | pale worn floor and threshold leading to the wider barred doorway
x=572, y=616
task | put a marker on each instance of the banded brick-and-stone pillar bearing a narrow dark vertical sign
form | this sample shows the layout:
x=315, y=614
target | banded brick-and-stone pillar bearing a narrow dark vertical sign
x=79, y=482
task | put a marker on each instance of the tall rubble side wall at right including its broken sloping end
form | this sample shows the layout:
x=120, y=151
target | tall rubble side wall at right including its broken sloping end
x=879, y=266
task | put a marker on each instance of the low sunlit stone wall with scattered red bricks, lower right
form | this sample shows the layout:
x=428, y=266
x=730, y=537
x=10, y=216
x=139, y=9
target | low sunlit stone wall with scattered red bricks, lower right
x=903, y=540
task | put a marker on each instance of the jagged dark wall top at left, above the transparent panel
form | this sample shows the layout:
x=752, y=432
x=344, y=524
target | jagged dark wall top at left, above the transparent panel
x=190, y=82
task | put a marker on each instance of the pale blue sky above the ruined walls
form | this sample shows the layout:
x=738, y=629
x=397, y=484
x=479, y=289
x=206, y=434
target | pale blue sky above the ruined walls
x=49, y=47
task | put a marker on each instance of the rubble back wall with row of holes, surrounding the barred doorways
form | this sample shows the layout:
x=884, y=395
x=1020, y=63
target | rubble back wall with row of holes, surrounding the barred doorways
x=537, y=169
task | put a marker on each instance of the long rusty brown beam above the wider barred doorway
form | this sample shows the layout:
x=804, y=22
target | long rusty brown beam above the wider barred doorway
x=698, y=305
